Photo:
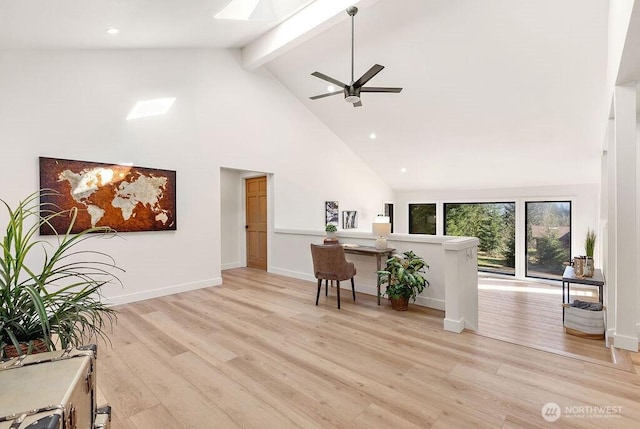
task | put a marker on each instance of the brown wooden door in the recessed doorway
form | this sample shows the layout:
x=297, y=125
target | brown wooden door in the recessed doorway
x=256, y=204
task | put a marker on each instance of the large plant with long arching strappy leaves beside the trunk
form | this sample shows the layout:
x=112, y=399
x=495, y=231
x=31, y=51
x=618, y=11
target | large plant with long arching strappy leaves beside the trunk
x=50, y=289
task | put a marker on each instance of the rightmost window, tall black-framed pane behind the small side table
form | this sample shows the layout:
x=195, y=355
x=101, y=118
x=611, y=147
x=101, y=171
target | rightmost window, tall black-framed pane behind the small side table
x=548, y=238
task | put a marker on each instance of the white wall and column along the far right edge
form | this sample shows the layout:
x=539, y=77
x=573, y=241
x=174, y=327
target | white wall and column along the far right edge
x=620, y=184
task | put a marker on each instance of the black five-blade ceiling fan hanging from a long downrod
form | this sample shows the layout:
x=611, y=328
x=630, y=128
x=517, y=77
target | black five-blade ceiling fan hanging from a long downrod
x=352, y=91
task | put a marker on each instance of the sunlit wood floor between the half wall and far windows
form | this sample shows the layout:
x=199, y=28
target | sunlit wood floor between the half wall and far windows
x=530, y=314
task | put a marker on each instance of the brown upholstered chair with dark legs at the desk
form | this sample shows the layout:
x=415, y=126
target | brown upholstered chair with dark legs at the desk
x=329, y=263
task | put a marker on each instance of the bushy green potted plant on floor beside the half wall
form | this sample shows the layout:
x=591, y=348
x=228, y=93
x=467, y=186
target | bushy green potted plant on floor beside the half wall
x=405, y=281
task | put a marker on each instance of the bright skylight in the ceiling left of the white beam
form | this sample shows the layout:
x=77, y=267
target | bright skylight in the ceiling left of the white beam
x=261, y=10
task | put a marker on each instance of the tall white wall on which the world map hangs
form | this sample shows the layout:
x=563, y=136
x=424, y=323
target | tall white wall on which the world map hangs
x=73, y=104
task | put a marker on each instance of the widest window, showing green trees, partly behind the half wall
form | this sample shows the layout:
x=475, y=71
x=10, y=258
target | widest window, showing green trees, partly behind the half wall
x=495, y=226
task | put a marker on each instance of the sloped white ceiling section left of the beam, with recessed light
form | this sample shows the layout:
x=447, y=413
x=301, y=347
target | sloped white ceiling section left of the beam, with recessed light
x=64, y=24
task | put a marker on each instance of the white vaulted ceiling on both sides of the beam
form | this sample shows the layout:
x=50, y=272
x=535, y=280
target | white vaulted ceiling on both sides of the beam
x=497, y=93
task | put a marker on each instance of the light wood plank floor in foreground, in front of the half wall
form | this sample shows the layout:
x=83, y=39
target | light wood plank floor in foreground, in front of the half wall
x=257, y=353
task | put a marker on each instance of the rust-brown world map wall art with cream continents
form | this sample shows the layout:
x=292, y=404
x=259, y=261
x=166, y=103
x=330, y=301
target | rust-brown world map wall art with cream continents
x=123, y=197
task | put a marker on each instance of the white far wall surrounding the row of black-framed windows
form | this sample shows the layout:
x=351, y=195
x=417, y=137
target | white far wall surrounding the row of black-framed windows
x=584, y=209
